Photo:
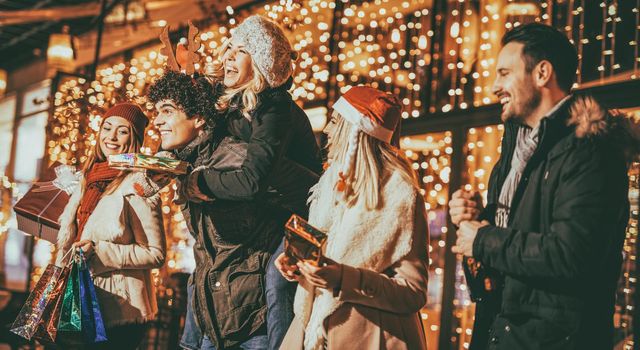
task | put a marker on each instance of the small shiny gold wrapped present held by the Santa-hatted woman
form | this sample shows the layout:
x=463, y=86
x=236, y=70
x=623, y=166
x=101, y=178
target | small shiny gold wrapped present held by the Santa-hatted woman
x=303, y=241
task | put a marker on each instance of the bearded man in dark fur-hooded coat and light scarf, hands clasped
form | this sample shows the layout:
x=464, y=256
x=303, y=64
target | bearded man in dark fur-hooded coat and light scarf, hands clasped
x=557, y=205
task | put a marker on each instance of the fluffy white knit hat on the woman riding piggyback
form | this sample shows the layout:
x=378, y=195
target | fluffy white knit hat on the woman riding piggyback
x=269, y=48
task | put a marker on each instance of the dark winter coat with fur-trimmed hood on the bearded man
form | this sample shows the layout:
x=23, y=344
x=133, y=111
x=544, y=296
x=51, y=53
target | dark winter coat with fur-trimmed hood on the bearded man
x=561, y=253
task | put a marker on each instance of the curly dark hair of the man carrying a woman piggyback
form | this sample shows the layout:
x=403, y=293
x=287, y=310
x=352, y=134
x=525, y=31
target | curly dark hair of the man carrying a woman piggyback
x=195, y=96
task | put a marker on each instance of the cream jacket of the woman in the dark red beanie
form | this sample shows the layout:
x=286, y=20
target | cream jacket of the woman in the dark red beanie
x=129, y=238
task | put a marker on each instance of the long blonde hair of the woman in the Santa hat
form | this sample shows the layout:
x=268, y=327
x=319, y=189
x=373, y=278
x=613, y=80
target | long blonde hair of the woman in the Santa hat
x=374, y=161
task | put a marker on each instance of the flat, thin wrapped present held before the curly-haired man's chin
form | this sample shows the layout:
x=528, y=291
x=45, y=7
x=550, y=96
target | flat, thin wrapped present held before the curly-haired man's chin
x=140, y=162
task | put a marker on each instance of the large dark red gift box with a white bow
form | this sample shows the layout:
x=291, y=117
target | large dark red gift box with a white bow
x=37, y=212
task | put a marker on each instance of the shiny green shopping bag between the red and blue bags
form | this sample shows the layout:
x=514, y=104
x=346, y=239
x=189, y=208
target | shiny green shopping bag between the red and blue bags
x=70, y=313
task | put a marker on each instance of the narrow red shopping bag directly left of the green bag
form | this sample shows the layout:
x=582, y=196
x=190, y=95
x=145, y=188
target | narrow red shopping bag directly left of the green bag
x=47, y=329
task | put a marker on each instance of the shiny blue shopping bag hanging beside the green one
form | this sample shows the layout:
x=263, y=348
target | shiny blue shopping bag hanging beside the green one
x=92, y=324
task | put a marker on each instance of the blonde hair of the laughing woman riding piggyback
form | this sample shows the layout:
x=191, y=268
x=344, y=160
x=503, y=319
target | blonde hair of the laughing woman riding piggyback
x=248, y=90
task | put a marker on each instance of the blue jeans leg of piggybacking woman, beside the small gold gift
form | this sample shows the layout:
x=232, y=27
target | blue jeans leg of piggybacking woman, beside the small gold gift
x=280, y=295
